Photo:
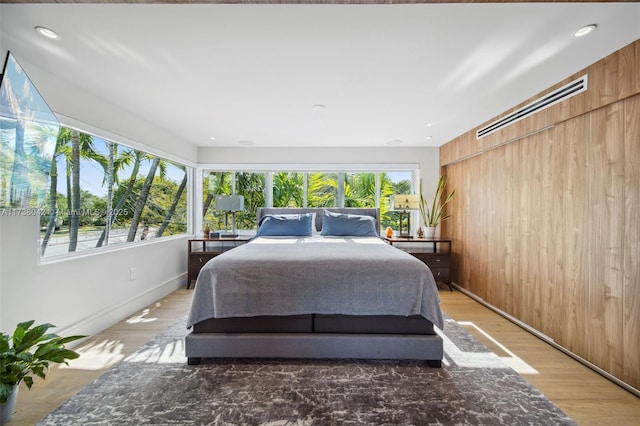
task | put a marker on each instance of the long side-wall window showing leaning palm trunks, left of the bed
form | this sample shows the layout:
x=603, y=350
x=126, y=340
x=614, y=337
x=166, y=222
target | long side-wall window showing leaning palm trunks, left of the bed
x=102, y=193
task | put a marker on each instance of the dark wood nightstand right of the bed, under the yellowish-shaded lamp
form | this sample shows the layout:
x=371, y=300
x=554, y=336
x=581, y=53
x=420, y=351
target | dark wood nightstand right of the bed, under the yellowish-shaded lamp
x=434, y=252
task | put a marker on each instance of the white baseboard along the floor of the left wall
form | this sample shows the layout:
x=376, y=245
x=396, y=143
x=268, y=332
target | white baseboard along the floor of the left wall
x=107, y=317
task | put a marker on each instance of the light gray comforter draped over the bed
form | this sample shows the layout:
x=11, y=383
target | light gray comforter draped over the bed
x=321, y=275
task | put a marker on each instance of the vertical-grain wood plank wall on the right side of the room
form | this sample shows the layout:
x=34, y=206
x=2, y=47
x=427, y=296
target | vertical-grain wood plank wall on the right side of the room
x=546, y=218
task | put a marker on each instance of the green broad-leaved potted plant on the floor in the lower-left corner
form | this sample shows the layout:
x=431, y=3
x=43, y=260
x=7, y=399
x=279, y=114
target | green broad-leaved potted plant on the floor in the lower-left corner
x=19, y=362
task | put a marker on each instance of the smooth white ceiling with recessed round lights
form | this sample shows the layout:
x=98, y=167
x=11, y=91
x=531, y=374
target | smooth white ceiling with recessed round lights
x=251, y=74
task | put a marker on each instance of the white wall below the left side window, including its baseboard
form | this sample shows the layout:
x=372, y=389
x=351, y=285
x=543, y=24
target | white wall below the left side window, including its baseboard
x=86, y=294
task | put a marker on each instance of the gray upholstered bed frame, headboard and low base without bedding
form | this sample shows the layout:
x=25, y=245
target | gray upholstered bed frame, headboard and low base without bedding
x=316, y=336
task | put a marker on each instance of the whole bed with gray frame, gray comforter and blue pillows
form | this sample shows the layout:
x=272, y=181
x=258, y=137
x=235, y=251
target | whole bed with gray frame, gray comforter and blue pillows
x=315, y=294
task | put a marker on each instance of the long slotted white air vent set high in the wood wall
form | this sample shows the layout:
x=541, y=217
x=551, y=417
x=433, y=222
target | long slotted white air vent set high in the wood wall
x=558, y=95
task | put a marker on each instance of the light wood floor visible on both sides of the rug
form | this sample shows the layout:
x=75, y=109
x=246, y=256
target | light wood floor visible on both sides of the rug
x=587, y=397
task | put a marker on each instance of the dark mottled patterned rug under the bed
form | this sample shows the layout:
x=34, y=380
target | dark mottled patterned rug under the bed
x=155, y=386
